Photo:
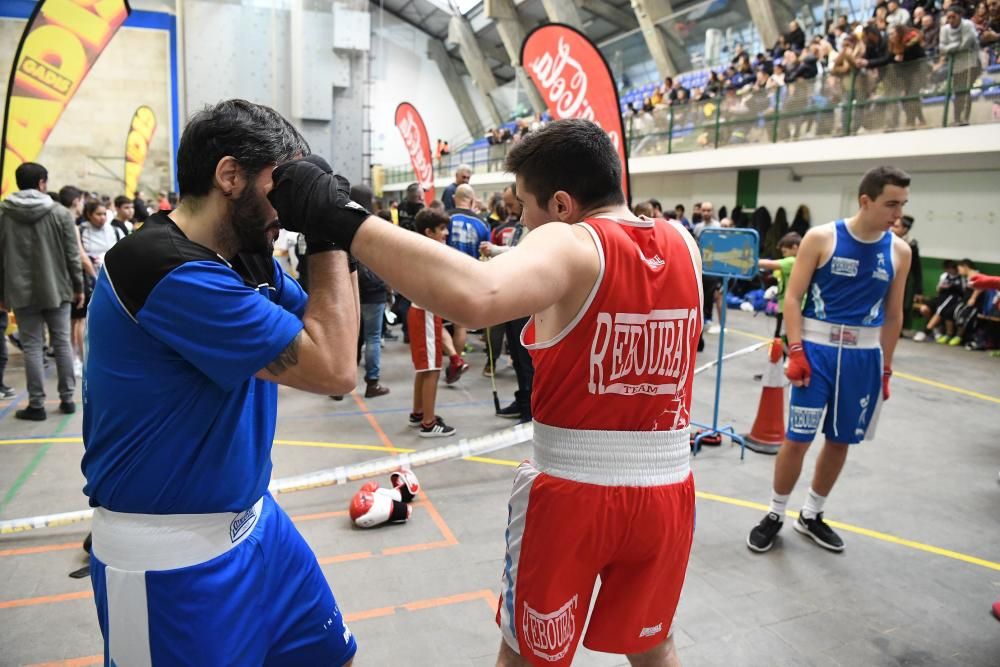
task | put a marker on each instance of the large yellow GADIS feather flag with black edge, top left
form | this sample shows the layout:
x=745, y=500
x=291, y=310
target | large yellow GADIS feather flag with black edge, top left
x=60, y=44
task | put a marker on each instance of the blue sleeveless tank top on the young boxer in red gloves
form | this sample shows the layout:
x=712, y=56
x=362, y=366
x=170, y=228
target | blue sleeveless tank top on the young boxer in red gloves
x=850, y=288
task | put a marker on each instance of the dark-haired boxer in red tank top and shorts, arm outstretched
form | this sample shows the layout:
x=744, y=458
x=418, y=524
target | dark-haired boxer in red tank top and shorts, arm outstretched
x=616, y=315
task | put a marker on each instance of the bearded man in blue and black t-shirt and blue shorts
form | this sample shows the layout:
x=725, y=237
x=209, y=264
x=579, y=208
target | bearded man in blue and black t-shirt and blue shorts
x=193, y=562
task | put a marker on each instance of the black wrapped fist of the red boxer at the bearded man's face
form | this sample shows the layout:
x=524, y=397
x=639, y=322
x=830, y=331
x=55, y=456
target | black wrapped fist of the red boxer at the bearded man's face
x=311, y=200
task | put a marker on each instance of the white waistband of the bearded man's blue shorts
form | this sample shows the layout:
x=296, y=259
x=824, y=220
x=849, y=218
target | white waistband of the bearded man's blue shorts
x=147, y=542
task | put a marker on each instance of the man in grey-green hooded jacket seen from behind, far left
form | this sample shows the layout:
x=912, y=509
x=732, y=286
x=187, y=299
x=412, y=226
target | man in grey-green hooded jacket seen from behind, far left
x=40, y=276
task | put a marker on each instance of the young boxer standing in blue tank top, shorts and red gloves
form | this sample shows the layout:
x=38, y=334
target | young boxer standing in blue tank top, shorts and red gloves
x=850, y=275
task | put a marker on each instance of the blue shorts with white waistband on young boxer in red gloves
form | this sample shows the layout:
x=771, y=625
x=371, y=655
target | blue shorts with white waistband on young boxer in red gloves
x=846, y=385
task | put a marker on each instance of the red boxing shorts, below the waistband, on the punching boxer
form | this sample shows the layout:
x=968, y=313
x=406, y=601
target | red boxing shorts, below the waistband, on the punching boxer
x=562, y=535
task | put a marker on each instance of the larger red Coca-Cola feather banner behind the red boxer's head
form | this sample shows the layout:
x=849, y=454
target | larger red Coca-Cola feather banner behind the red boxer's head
x=576, y=82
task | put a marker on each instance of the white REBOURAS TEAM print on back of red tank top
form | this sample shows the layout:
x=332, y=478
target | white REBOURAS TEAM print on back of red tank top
x=636, y=353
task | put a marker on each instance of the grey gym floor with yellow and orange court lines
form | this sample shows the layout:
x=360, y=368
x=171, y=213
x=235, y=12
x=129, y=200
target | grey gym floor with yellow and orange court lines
x=919, y=508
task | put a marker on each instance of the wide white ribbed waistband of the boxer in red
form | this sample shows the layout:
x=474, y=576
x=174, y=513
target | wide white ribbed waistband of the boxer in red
x=613, y=458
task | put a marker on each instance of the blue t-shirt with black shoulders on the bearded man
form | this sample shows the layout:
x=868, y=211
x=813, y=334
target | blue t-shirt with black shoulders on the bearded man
x=174, y=420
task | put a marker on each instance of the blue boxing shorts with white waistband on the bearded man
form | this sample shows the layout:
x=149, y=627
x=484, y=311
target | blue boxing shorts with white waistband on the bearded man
x=213, y=589
